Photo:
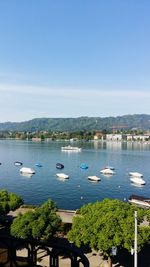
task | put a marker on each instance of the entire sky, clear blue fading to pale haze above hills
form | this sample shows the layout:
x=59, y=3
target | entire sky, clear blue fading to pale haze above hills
x=62, y=58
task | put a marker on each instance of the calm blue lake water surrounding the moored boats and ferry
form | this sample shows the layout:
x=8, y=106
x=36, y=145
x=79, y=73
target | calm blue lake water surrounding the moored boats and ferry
x=77, y=190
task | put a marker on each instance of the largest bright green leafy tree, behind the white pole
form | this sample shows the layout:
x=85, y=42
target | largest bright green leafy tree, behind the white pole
x=106, y=224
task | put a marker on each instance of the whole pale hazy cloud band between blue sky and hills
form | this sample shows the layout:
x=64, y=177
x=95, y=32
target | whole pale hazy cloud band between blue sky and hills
x=20, y=103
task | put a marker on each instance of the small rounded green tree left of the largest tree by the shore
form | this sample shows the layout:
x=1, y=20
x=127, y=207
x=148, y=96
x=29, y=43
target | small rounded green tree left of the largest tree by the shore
x=42, y=223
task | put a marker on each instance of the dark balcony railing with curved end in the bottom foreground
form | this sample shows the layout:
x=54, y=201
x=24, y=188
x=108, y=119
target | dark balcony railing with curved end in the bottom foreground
x=18, y=252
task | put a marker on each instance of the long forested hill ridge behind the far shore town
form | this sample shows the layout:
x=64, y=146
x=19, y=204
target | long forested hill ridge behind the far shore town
x=140, y=121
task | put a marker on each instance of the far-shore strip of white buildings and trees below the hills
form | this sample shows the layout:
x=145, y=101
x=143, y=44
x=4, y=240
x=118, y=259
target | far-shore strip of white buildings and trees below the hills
x=38, y=136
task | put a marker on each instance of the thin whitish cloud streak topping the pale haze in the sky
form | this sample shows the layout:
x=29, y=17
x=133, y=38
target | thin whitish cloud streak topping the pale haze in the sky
x=71, y=92
